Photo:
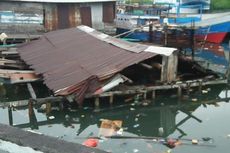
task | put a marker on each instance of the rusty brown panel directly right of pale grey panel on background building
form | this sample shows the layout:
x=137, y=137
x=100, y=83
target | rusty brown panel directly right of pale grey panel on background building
x=108, y=12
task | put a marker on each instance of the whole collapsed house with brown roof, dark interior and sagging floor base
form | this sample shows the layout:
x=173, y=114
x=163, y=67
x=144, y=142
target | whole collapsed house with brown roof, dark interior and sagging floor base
x=82, y=62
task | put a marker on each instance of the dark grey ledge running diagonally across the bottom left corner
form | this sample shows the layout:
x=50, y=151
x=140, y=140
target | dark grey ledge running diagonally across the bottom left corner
x=41, y=142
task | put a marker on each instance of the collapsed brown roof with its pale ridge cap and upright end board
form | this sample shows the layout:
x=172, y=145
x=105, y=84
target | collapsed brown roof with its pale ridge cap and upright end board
x=81, y=60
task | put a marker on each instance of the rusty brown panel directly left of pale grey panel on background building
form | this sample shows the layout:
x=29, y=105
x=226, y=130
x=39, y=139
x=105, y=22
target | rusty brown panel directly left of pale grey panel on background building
x=86, y=19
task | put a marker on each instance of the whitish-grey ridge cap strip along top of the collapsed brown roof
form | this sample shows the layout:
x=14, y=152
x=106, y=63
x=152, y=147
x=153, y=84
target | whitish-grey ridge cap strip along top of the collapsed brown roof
x=129, y=46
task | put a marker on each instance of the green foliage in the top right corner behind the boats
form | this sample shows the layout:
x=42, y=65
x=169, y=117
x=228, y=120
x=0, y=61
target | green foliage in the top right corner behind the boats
x=220, y=4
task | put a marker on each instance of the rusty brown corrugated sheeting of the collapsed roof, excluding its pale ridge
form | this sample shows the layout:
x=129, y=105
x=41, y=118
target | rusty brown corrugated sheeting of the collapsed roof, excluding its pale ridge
x=70, y=59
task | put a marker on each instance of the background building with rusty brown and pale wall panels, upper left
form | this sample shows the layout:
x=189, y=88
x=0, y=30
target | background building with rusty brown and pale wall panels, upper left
x=37, y=15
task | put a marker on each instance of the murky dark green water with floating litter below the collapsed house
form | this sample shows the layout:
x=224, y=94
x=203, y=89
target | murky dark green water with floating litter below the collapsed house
x=197, y=116
